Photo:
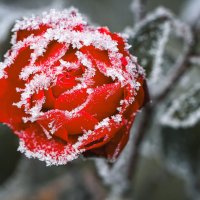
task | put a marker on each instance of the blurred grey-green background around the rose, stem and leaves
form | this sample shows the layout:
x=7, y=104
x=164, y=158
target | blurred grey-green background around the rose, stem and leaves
x=170, y=158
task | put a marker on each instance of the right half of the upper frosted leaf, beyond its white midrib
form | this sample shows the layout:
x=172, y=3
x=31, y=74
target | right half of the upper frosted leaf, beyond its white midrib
x=176, y=51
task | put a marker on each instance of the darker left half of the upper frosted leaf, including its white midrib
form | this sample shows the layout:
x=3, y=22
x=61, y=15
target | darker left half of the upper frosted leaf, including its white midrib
x=148, y=39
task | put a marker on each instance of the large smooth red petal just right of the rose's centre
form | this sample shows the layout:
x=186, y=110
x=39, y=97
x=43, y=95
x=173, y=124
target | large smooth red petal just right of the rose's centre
x=104, y=100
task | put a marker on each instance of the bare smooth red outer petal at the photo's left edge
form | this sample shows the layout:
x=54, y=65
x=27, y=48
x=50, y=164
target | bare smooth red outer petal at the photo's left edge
x=9, y=113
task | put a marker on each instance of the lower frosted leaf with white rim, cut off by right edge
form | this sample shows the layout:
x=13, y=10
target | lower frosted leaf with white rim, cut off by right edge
x=184, y=111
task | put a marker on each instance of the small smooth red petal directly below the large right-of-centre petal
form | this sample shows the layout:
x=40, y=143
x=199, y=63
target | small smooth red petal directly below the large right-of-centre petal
x=80, y=122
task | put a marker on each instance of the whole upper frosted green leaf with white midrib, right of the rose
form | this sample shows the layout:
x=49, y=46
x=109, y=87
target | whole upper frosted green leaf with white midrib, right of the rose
x=161, y=42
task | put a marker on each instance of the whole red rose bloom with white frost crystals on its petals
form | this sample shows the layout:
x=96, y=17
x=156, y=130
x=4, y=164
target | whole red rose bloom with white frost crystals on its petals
x=69, y=88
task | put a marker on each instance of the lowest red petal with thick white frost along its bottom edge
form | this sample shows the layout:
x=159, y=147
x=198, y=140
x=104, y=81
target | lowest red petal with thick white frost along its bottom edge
x=35, y=144
